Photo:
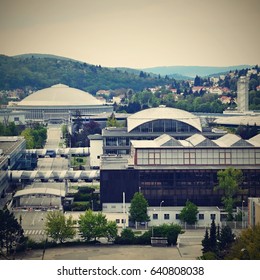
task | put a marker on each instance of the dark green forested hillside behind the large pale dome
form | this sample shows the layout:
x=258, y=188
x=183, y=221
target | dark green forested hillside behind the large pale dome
x=43, y=71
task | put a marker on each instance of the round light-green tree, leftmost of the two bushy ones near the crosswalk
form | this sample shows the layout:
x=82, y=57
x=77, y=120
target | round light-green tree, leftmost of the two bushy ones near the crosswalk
x=58, y=227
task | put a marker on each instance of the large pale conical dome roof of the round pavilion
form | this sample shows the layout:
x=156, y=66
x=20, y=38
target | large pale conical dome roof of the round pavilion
x=59, y=95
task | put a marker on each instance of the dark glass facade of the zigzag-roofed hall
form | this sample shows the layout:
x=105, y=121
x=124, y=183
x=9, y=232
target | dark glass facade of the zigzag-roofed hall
x=174, y=187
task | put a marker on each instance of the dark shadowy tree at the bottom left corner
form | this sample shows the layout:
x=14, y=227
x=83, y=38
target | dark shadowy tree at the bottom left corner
x=11, y=232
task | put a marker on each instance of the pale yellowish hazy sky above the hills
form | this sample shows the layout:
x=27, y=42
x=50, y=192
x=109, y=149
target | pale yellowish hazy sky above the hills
x=134, y=33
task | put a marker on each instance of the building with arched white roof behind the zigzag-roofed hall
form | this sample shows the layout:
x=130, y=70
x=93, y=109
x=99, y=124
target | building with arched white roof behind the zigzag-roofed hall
x=147, y=125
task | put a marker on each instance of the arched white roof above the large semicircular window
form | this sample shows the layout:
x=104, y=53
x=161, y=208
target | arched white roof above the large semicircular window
x=160, y=113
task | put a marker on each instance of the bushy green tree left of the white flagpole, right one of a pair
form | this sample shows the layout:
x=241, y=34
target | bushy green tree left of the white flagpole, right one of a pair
x=93, y=226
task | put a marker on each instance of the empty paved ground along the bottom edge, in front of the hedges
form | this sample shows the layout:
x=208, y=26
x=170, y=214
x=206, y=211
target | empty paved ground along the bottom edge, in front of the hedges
x=115, y=252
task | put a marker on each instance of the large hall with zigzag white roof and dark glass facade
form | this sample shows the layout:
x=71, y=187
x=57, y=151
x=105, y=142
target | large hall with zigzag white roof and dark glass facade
x=174, y=171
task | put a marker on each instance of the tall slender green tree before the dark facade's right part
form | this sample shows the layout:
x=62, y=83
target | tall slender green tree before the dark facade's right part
x=229, y=181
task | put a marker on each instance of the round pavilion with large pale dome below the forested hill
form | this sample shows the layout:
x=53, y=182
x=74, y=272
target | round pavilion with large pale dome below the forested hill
x=59, y=102
